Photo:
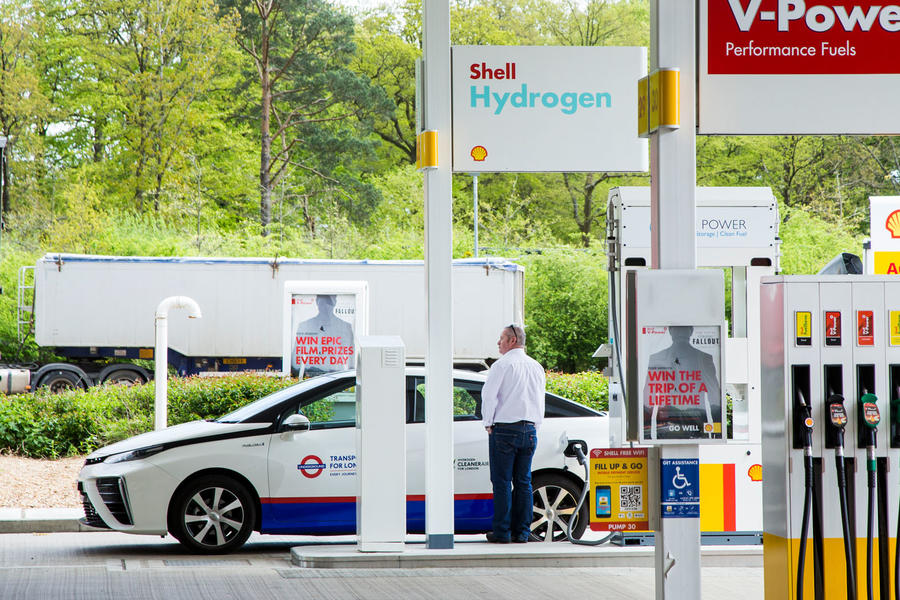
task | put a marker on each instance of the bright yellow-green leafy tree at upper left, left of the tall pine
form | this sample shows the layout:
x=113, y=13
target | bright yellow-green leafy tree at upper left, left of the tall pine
x=144, y=83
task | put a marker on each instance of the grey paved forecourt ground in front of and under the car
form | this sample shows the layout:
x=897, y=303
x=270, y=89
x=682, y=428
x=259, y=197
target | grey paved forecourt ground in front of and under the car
x=96, y=566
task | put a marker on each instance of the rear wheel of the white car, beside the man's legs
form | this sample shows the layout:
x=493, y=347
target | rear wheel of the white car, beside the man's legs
x=555, y=500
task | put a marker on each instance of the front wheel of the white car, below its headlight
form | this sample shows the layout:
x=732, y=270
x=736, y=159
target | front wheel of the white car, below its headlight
x=213, y=514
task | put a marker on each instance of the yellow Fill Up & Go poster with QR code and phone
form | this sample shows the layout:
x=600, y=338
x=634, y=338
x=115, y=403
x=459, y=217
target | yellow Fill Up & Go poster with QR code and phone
x=619, y=485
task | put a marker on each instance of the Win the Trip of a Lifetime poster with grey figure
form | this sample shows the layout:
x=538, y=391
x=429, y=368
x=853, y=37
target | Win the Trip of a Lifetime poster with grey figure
x=681, y=382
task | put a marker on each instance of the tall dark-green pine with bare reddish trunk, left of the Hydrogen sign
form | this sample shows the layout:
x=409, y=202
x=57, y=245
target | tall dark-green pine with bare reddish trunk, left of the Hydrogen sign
x=313, y=110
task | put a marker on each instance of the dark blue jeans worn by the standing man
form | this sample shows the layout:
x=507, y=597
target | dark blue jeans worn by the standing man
x=511, y=447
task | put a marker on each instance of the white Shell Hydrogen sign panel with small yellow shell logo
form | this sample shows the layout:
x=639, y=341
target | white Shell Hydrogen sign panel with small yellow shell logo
x=547, y=109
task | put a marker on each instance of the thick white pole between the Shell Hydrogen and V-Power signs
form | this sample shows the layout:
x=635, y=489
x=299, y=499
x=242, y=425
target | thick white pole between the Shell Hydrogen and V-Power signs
x=673, y=181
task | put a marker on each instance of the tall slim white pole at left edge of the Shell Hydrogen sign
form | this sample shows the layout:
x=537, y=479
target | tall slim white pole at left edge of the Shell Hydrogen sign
x=438, y=289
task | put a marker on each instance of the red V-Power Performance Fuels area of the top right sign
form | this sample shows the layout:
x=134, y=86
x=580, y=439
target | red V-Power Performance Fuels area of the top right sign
x=781, y=37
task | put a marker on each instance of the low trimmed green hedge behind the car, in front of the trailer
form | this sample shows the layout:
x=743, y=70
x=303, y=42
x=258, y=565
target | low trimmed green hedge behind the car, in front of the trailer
x=79, y=421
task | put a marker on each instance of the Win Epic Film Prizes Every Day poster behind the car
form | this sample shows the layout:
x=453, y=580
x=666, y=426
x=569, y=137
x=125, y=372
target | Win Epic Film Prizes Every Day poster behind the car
x=324, y=327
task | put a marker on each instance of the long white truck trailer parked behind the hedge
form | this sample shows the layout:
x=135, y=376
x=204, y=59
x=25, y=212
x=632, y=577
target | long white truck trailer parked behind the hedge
x=98, y=311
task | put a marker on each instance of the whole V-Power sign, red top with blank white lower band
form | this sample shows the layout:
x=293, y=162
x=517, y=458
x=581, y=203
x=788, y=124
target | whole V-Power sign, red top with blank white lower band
x=795, y=67
